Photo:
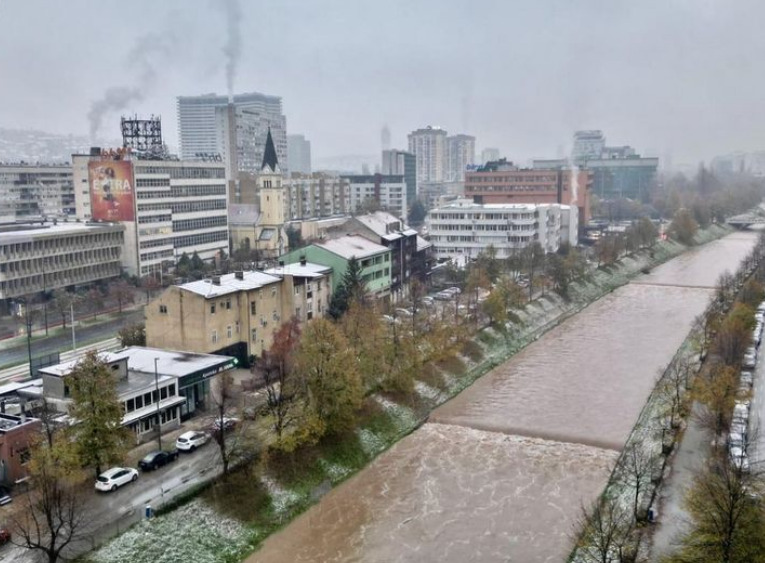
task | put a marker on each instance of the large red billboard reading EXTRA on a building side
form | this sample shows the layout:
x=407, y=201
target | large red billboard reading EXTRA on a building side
x=112, y=196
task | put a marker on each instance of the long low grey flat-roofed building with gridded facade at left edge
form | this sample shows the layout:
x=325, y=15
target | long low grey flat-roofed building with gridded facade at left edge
x=35, y=258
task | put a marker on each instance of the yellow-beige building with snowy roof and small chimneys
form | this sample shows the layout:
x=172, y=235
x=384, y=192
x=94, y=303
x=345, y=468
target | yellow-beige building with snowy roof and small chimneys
x=237, y=314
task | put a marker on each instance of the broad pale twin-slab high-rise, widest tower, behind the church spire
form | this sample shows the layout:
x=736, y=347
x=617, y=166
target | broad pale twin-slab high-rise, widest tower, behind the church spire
x=204, y=128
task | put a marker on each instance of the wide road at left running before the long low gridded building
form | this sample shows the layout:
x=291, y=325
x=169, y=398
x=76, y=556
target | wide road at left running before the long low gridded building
x=17, y=353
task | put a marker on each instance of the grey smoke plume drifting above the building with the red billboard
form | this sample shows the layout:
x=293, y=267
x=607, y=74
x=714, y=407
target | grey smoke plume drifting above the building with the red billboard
x=142, y=58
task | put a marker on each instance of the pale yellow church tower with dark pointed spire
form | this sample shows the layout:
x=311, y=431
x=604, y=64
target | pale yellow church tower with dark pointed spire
x=272, y=236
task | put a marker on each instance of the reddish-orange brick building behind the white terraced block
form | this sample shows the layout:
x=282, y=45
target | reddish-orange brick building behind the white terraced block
x=502, y=182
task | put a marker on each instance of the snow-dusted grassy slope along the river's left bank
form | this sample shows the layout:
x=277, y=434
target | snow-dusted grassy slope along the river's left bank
x=260, y=497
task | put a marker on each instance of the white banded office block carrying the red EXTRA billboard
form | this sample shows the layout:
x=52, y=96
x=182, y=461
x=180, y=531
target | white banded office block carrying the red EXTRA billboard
x=168, y=207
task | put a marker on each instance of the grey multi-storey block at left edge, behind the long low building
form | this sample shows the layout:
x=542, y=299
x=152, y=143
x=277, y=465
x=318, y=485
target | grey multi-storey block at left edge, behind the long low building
x=34, y=191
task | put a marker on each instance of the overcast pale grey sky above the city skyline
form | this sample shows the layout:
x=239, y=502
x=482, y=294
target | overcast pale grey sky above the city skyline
x=662, y=75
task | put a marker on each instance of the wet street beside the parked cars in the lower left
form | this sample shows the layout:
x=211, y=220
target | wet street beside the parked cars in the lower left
x=113, y=513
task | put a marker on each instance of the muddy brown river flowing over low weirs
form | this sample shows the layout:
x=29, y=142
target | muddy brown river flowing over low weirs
x=501, y=471
